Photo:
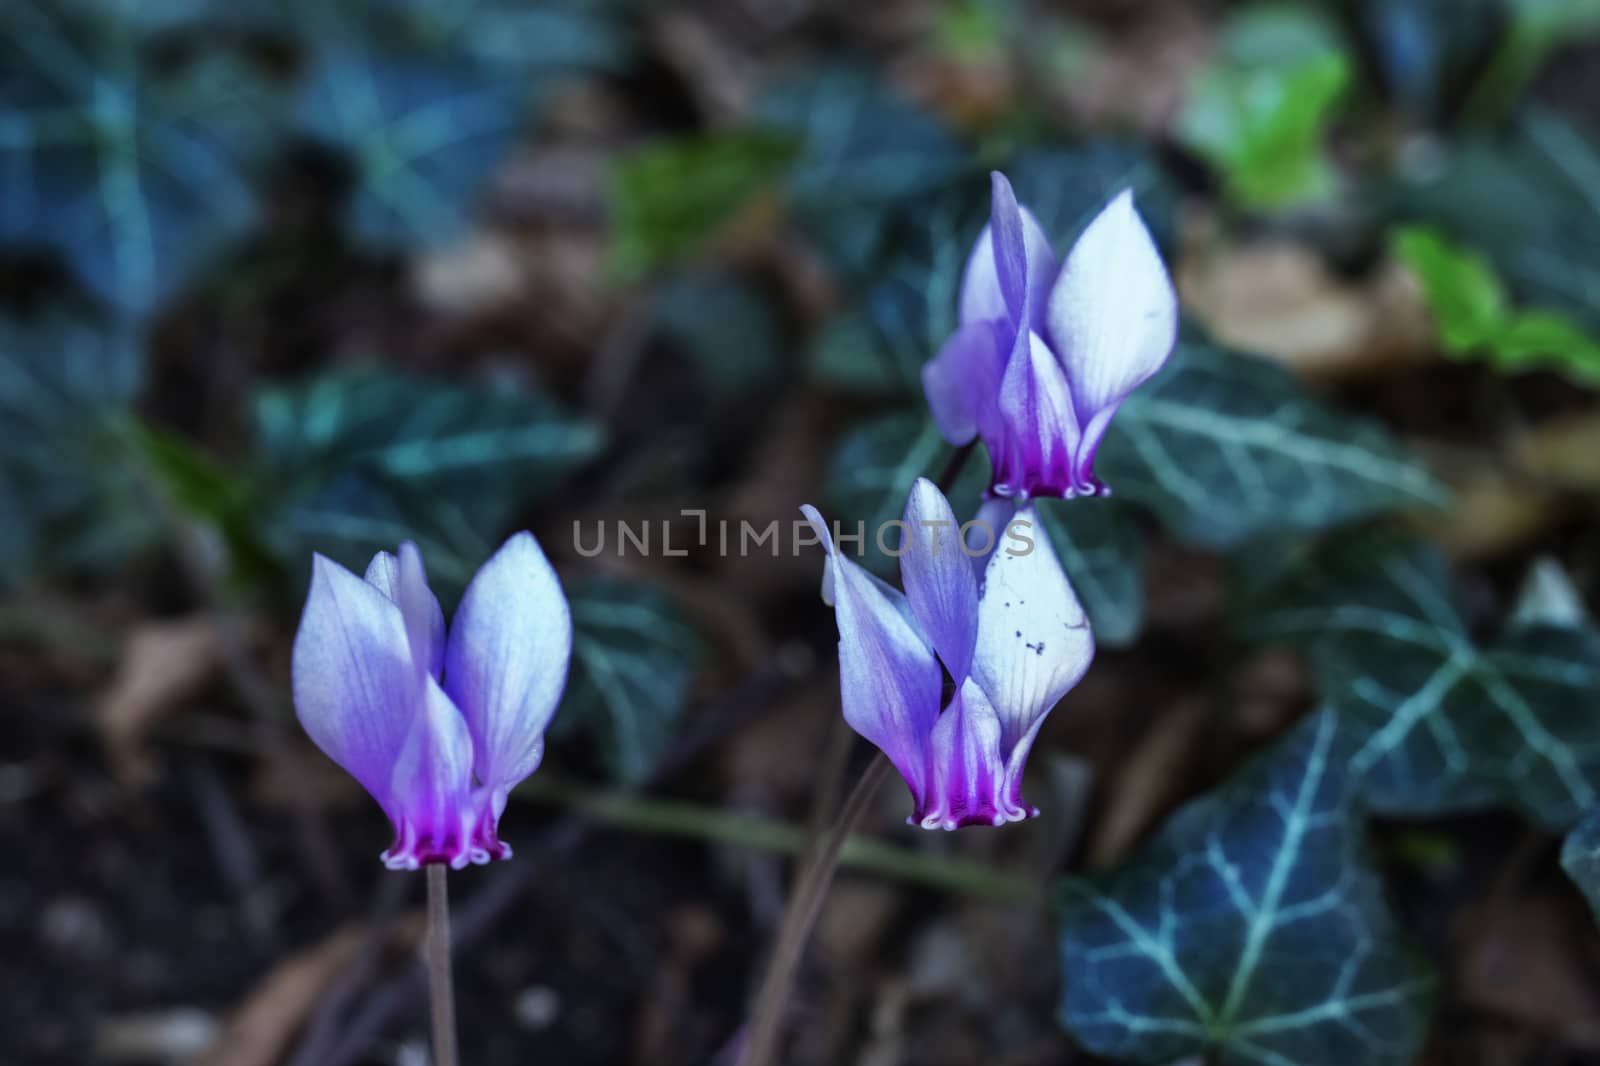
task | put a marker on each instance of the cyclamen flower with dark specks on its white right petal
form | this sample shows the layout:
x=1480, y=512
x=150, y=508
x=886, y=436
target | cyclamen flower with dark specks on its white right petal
x=1014, y=643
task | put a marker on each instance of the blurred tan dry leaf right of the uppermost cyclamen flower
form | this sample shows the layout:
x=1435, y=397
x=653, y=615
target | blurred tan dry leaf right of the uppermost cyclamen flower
x=1279, y=300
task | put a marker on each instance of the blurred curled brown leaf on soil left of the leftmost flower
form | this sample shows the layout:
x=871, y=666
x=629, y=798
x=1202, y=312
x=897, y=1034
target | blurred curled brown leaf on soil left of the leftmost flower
x=164, y=663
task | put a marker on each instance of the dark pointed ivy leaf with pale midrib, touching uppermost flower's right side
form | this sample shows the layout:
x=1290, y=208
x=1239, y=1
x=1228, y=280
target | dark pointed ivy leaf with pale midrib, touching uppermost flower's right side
x=1228, y=447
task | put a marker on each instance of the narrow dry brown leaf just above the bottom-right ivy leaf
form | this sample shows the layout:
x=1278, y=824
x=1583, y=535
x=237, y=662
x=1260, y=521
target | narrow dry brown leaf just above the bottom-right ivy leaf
x=1148, y=782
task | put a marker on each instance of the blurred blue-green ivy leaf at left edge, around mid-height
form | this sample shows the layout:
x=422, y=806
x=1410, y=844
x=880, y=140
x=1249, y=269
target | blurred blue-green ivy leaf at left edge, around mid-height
x=66, y=390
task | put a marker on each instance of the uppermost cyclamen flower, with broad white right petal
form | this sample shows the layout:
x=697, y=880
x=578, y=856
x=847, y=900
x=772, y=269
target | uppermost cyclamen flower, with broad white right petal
x=1049, y=351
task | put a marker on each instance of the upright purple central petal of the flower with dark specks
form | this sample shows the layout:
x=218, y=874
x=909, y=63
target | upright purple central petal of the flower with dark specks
x=938, y=577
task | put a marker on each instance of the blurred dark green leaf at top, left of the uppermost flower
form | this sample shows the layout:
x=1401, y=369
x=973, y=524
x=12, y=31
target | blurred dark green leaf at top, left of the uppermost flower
x=671, y=199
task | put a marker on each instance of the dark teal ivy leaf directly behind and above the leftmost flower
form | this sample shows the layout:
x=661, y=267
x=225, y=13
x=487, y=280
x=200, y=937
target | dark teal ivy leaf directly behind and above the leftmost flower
x=359, y=462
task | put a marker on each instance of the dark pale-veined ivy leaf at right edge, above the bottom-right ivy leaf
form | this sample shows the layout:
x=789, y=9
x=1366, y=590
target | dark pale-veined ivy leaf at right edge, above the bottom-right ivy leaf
x=1446, y=724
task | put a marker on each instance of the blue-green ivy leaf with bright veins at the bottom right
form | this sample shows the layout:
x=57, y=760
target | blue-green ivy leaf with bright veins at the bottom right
x=1252, y=931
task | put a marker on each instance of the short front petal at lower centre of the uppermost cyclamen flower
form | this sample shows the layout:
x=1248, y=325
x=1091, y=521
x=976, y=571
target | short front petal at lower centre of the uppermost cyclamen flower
x=1041, y=428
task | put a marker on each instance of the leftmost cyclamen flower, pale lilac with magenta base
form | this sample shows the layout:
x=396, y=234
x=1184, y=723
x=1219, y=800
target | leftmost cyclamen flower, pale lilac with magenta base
x=438, y=727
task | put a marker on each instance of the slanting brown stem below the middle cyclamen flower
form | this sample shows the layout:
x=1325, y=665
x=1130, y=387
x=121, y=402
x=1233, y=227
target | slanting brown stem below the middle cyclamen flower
x=794, y=931
